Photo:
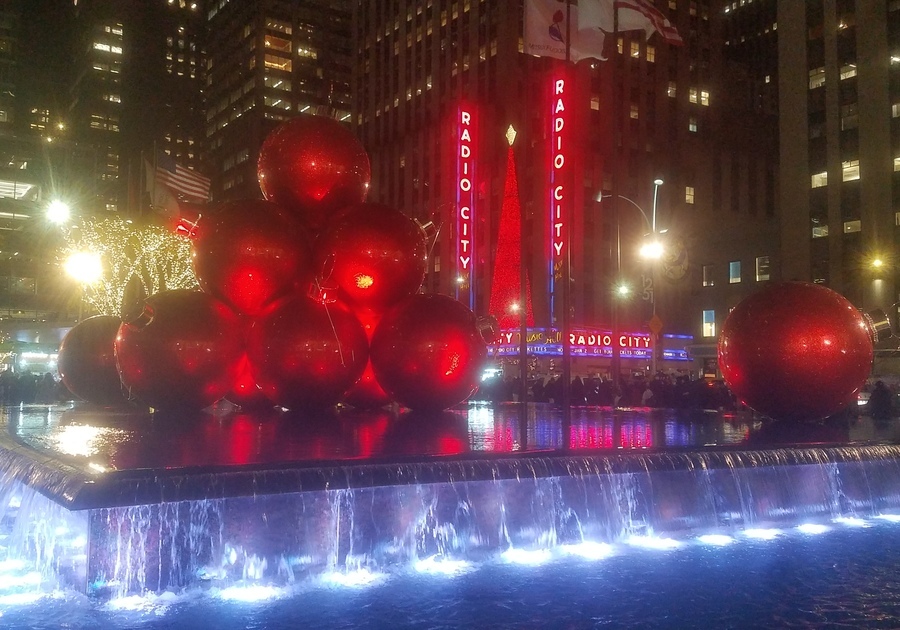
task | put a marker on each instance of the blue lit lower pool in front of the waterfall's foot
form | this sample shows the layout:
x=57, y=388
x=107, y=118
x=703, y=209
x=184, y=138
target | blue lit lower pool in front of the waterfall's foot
x=847, y=576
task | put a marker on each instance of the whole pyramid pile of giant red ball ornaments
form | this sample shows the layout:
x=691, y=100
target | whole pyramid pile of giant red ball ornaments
x=309, y=298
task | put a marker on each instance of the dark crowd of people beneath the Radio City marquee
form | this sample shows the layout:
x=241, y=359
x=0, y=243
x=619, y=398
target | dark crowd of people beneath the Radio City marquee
x=663, y=390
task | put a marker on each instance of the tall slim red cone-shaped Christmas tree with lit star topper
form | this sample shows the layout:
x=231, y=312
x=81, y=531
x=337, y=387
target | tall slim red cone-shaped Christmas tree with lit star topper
x=506, y=302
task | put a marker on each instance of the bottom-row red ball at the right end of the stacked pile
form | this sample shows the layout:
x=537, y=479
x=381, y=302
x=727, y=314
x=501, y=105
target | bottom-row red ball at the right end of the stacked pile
x=427, y=352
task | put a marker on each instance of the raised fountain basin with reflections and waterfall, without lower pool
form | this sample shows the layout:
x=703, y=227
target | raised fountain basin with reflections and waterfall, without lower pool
x=114, y=504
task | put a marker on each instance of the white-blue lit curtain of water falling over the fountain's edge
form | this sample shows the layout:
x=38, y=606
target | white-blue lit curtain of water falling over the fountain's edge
x=459, y=510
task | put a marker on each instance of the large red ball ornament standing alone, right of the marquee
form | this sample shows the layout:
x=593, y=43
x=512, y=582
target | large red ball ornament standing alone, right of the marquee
x=796, y=351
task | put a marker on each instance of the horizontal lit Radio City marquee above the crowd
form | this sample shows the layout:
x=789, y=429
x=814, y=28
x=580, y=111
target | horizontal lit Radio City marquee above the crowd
x=598, y=343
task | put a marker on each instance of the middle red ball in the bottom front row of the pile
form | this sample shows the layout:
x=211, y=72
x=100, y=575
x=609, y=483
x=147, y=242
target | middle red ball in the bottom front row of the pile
x=306, y=353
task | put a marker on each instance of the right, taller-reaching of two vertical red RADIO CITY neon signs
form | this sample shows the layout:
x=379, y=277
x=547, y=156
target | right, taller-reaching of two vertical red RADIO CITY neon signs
x=558, y=192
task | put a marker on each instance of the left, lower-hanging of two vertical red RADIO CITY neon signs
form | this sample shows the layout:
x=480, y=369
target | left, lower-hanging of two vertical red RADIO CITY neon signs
x=465, y=225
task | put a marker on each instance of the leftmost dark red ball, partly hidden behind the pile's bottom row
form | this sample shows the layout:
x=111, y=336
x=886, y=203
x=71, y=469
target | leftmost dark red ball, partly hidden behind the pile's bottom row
x=87, y=361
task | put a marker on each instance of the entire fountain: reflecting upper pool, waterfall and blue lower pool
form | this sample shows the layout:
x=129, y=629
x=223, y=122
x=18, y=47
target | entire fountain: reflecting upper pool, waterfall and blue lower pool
x=479, y=517
